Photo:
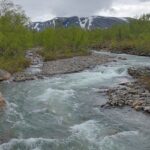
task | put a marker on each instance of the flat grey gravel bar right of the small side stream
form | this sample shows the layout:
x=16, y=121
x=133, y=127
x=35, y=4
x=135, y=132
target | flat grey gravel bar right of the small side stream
x=74, y=64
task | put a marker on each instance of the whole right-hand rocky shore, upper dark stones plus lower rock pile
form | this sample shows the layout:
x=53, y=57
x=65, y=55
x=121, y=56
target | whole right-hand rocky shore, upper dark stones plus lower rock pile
x=134, y=94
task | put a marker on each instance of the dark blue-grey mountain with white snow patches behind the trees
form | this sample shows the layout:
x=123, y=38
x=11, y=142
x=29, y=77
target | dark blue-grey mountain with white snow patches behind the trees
x=83, y=22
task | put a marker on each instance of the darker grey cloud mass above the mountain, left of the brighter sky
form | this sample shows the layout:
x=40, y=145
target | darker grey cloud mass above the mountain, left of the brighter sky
x=36, y=8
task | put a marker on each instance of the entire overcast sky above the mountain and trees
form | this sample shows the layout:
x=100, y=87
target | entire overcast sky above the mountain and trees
x=40, y=10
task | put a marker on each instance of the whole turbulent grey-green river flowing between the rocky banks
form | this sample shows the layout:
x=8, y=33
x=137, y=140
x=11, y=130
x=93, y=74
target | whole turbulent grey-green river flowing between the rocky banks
x=63, y=113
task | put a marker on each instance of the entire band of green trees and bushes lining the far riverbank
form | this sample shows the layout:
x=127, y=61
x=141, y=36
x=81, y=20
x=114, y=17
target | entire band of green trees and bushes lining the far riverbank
x=16, y=38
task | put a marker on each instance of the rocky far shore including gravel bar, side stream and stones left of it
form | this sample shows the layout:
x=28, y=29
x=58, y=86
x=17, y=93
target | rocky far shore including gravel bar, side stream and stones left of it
x=40, y=69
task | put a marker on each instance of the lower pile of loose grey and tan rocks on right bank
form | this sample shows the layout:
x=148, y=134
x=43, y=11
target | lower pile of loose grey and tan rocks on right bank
x=133, y=95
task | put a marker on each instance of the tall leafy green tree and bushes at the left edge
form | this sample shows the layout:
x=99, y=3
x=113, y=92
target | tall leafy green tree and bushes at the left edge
x=15, y=37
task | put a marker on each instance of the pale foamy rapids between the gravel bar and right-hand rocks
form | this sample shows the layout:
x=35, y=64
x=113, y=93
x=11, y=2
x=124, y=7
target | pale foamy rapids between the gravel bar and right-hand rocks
x=93, y=77
